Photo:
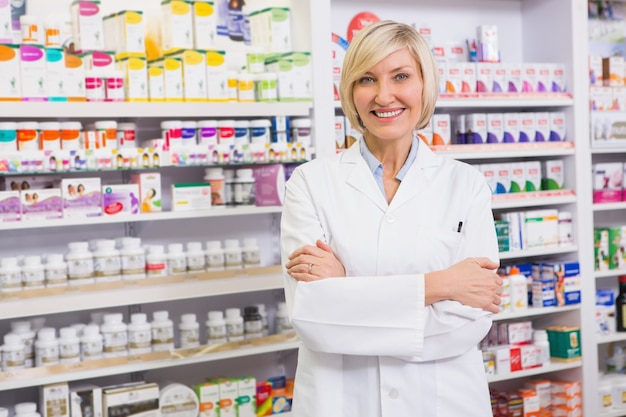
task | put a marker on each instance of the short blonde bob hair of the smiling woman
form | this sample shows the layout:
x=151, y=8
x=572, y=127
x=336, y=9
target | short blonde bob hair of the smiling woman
x=371, y=45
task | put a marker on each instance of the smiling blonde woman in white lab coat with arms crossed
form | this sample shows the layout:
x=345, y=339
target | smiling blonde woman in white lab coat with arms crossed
x=389, y=252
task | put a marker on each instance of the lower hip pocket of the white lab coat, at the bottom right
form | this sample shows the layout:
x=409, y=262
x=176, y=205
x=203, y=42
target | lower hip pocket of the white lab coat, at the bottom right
x=462, y=386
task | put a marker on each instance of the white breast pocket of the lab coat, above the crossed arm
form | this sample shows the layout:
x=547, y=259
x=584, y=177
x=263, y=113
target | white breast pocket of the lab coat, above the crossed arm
x=437, y=248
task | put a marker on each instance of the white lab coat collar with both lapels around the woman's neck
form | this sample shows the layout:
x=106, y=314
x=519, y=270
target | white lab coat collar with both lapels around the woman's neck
x=360, y=177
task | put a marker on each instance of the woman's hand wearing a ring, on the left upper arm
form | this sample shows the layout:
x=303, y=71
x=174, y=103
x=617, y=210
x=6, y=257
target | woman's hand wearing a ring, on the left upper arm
x=311, y=263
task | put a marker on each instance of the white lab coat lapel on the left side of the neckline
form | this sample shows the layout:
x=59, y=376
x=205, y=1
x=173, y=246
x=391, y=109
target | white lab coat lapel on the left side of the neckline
x=359, y=176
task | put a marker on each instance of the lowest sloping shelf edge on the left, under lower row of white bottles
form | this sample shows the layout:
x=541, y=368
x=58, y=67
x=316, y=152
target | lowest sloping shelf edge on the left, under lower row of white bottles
x=33, y=377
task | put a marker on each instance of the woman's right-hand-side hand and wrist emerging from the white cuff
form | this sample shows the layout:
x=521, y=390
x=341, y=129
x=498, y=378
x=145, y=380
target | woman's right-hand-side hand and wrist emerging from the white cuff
x=471, y=282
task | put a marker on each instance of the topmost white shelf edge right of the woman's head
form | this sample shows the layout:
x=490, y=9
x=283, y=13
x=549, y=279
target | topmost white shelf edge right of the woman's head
x=515, y=101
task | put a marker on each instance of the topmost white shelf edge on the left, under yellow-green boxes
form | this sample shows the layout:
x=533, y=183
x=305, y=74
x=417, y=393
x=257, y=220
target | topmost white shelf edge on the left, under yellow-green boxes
x=98, y=110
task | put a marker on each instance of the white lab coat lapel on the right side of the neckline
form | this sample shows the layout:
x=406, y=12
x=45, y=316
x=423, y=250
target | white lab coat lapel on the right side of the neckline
x=421, y=172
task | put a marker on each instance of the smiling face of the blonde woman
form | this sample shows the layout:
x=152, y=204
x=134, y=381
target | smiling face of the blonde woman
x=388, y=97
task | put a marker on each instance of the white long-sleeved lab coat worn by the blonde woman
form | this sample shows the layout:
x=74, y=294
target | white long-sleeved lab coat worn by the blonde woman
x=370, y=346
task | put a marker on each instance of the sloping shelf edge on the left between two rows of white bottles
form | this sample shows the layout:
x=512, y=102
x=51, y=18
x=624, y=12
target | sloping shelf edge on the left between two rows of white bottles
x=122, y=293
